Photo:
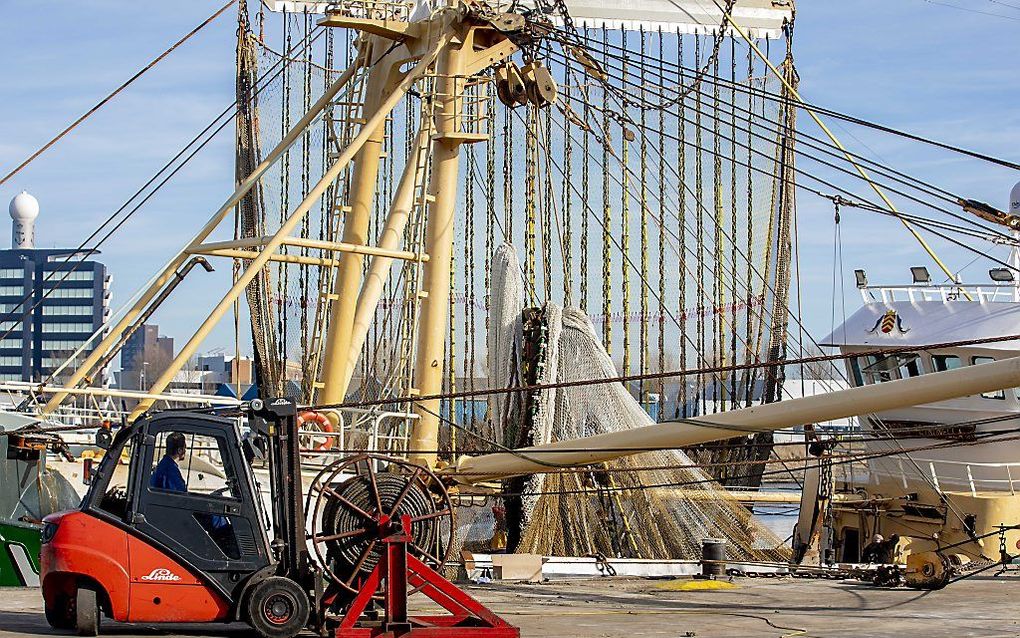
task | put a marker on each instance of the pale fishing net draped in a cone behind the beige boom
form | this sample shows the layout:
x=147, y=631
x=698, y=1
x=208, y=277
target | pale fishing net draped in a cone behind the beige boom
x=655, y=505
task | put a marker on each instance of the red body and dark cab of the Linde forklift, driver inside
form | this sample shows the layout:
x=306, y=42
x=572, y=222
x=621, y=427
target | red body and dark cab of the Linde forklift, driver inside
x=175, y=536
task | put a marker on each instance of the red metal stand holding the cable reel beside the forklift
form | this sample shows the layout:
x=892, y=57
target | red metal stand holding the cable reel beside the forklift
x=468, y=618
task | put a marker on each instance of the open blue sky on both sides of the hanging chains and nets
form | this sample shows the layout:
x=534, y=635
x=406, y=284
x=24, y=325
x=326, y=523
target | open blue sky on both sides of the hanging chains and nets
x=919, y=66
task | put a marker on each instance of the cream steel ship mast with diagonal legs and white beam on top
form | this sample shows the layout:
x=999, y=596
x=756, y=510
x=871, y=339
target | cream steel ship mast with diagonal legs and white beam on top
x=440, y=56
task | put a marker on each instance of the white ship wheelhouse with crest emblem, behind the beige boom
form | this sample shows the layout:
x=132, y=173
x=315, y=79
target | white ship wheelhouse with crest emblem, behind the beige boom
x=941, y=440
